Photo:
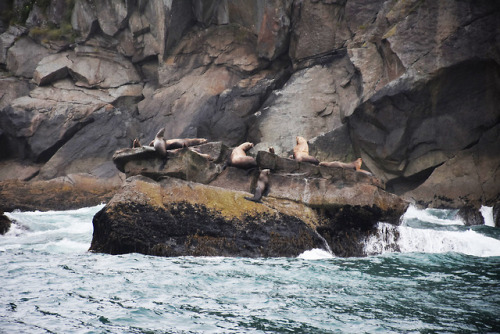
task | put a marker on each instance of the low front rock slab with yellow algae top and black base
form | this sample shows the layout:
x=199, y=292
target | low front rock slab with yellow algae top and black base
x=181, y=218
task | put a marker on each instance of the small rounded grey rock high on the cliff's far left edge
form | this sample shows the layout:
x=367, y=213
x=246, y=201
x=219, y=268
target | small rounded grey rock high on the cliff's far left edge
x=23, y=57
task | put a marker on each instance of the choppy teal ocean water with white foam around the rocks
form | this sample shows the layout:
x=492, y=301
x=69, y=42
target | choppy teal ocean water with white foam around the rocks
x=431, y=274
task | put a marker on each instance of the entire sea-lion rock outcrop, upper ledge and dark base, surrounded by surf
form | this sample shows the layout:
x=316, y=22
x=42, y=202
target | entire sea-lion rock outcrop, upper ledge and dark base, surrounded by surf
x=198, y=207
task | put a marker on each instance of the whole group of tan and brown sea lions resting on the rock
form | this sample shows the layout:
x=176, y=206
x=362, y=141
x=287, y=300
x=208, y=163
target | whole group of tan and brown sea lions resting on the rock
x=239, y=159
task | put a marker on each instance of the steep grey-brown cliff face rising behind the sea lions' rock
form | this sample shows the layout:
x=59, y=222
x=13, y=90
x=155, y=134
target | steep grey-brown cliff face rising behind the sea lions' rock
x=412, y=87
